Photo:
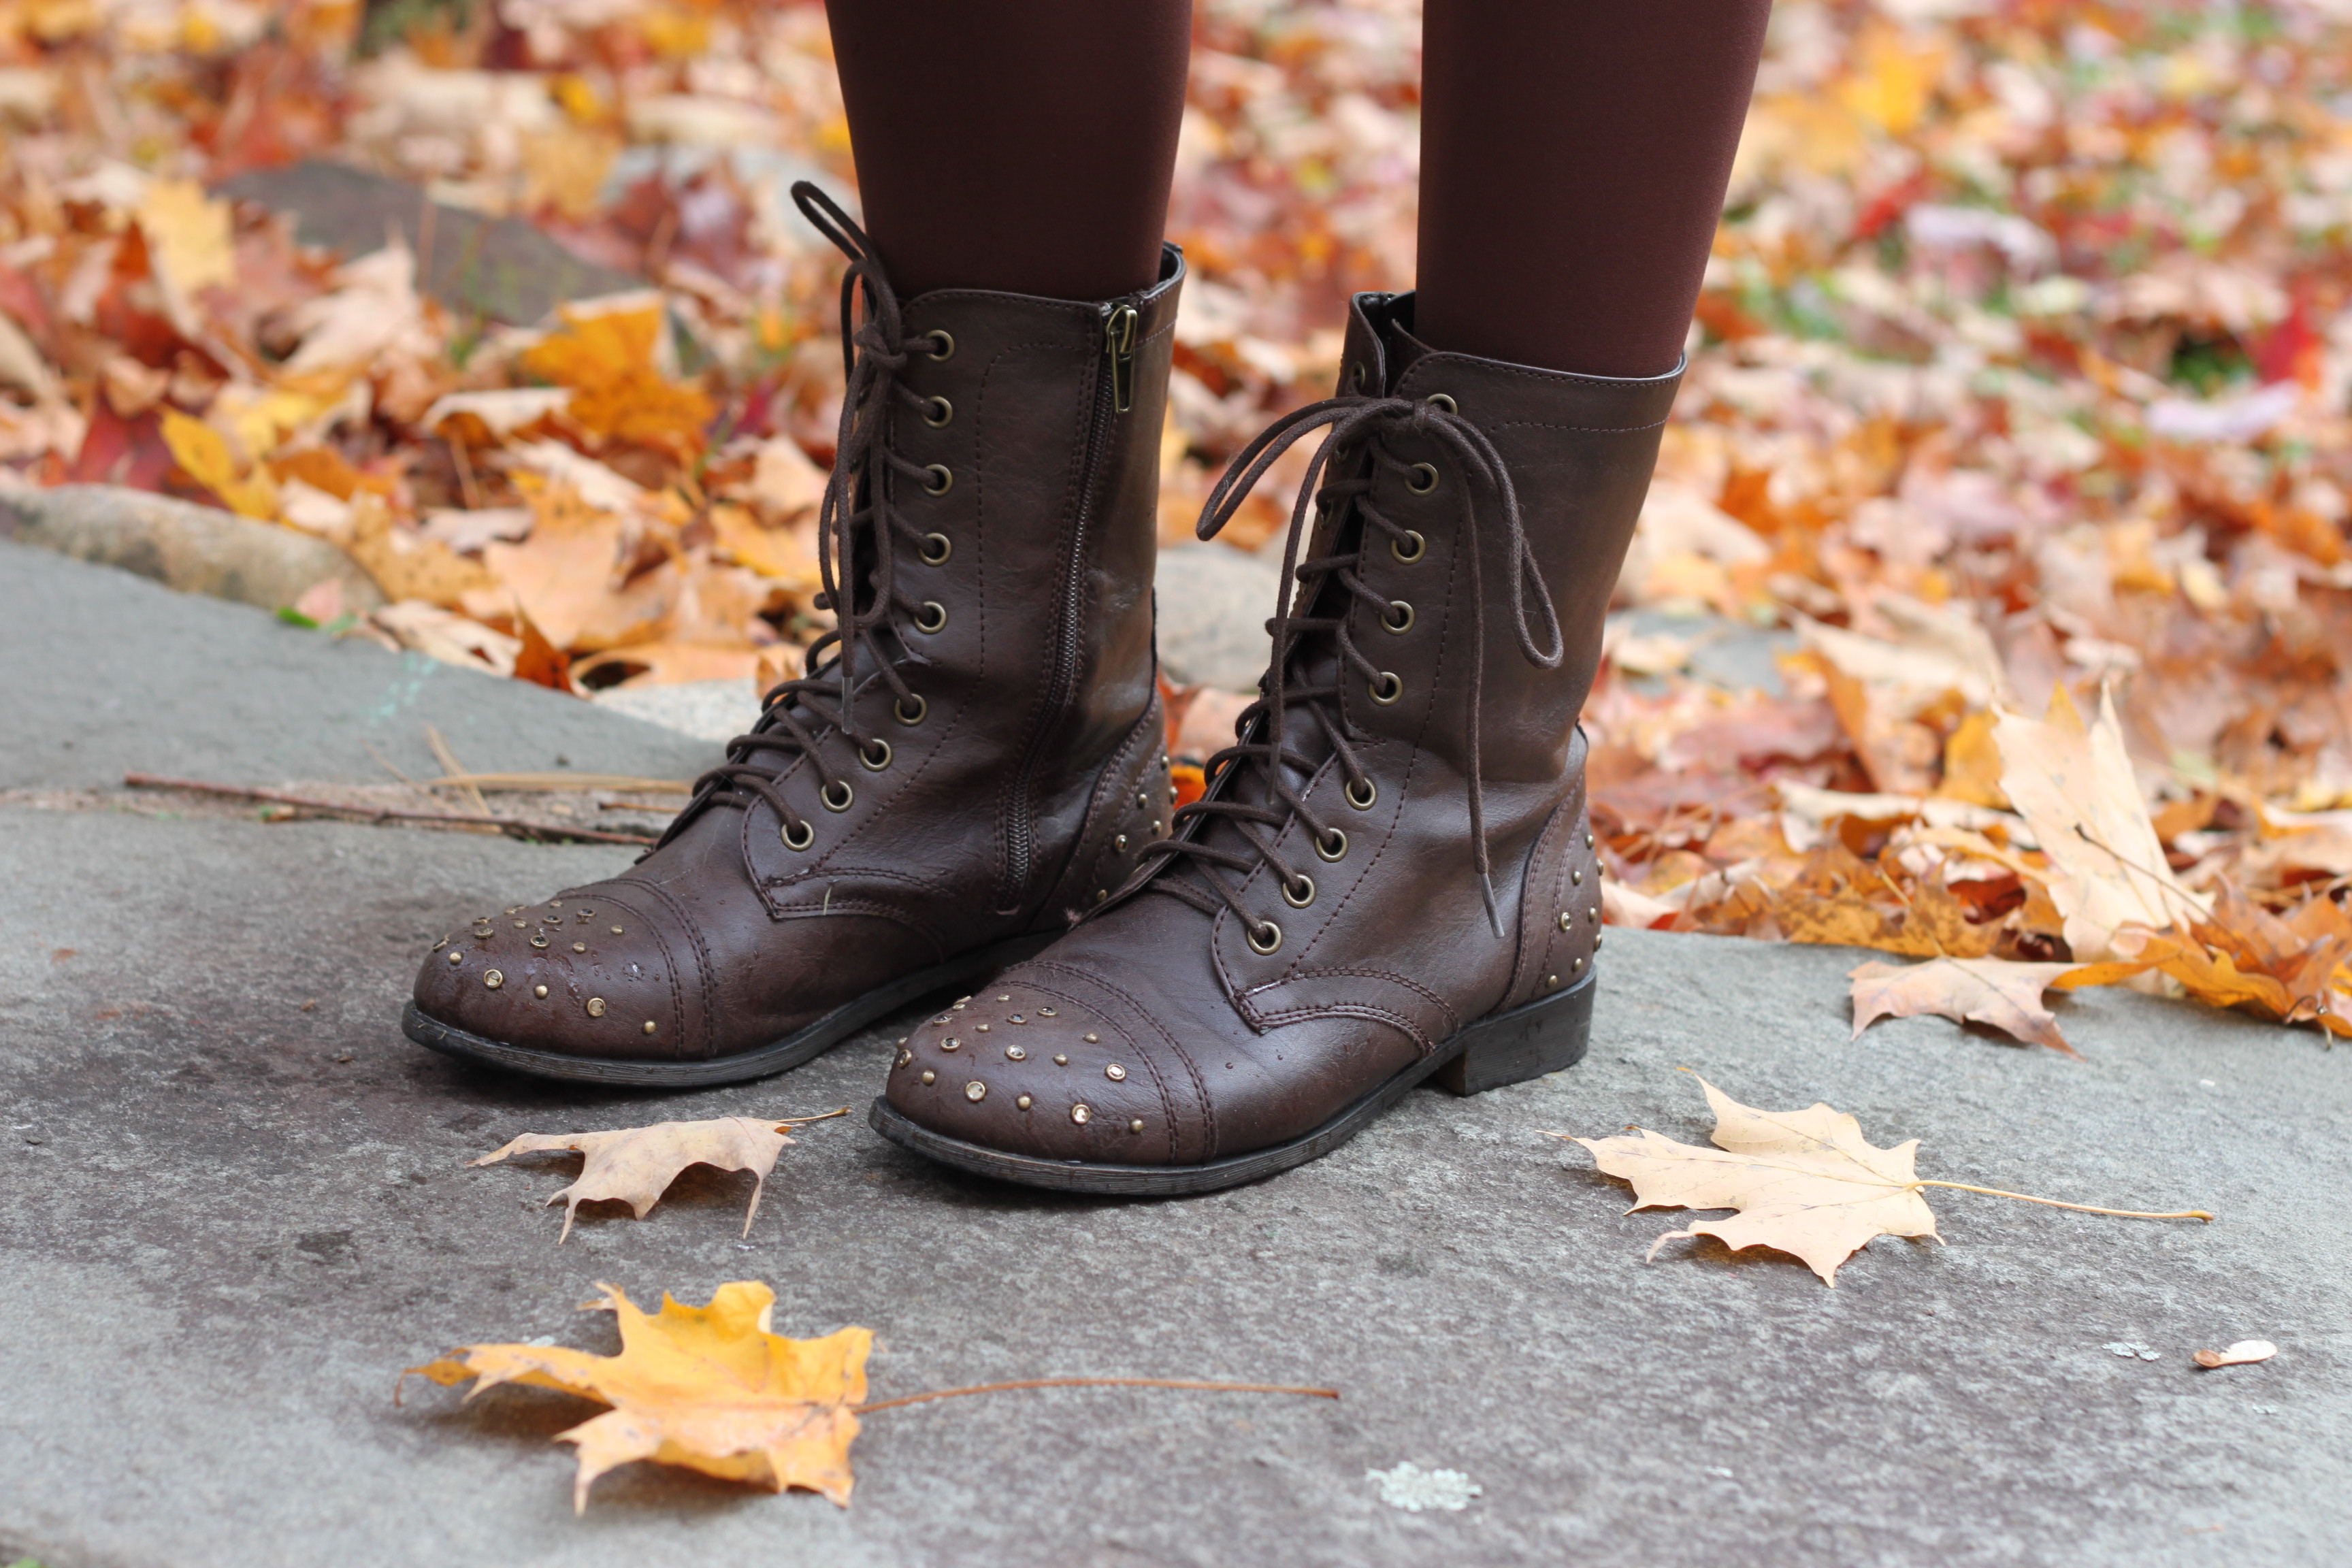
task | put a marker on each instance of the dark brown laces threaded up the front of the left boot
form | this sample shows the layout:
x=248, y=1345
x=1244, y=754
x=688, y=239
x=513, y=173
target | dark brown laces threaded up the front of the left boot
x=857, y=544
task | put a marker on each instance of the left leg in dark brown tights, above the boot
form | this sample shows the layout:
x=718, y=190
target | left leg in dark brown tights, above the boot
x=1015, y=145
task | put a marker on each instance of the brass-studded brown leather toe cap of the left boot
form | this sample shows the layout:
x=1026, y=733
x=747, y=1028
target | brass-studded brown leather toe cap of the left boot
x=577, y=977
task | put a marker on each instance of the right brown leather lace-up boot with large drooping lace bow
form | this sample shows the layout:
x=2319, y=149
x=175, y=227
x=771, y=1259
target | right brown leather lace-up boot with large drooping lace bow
x=1405, y=887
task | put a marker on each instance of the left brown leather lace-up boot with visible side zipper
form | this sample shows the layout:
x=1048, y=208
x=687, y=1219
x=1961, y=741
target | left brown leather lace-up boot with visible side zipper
x=975, y=756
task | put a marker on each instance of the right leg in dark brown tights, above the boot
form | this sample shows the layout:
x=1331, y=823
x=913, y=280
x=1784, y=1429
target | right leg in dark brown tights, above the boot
x=1575, y=159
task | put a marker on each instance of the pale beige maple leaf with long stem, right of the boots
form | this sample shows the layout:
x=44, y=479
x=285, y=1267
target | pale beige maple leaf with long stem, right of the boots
x=1805, y=1184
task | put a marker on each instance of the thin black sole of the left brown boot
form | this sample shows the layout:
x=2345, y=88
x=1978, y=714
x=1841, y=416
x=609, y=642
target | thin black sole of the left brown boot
x=796, y=1050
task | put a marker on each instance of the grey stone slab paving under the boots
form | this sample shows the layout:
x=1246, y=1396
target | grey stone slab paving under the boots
x=234, y=1205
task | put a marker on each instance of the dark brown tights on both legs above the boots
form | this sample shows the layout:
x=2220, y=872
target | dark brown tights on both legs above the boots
x=1575, y=156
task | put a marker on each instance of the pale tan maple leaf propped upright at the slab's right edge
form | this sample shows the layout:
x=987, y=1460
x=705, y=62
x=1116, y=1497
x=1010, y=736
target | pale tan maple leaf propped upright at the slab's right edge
x=2073, y=784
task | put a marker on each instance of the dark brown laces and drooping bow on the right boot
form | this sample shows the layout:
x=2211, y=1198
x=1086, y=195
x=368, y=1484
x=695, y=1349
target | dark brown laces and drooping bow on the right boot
x=1264, y=815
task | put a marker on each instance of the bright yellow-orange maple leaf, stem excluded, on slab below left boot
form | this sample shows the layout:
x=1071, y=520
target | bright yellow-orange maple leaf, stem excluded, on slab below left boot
x=707, y=1388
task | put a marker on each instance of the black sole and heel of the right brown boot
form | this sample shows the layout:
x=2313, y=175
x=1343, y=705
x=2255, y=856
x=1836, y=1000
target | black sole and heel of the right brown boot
x=1504, y=1050
